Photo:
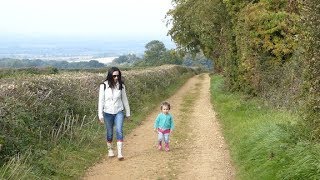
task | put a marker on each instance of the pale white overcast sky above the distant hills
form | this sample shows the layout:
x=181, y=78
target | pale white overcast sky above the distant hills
x=84, y=17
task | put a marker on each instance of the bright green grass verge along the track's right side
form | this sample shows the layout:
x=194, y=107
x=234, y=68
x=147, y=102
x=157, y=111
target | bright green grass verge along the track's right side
x=265, y=143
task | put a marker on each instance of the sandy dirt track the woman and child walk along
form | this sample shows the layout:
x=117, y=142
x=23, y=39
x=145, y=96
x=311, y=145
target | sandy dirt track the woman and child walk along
x=198, y=150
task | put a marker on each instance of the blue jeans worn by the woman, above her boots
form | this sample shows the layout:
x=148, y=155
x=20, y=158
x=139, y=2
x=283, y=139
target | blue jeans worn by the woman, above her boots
x=114, y=119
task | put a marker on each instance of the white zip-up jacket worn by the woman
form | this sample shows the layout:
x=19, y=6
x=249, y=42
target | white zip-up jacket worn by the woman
x=112, y=101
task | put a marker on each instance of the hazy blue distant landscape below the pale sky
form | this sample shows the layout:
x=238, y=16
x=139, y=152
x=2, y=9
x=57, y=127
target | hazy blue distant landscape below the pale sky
x=52, y=48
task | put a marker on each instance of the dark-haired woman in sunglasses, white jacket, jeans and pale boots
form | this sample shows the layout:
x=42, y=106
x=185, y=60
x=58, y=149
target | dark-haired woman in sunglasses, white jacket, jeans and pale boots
x=112, y=103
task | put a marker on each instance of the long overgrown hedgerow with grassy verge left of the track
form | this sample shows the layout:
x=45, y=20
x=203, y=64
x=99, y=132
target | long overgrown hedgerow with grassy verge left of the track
x=53, y=118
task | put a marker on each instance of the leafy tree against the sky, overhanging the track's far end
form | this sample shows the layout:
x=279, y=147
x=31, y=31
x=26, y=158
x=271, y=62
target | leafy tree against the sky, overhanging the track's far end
x=202, y=25
